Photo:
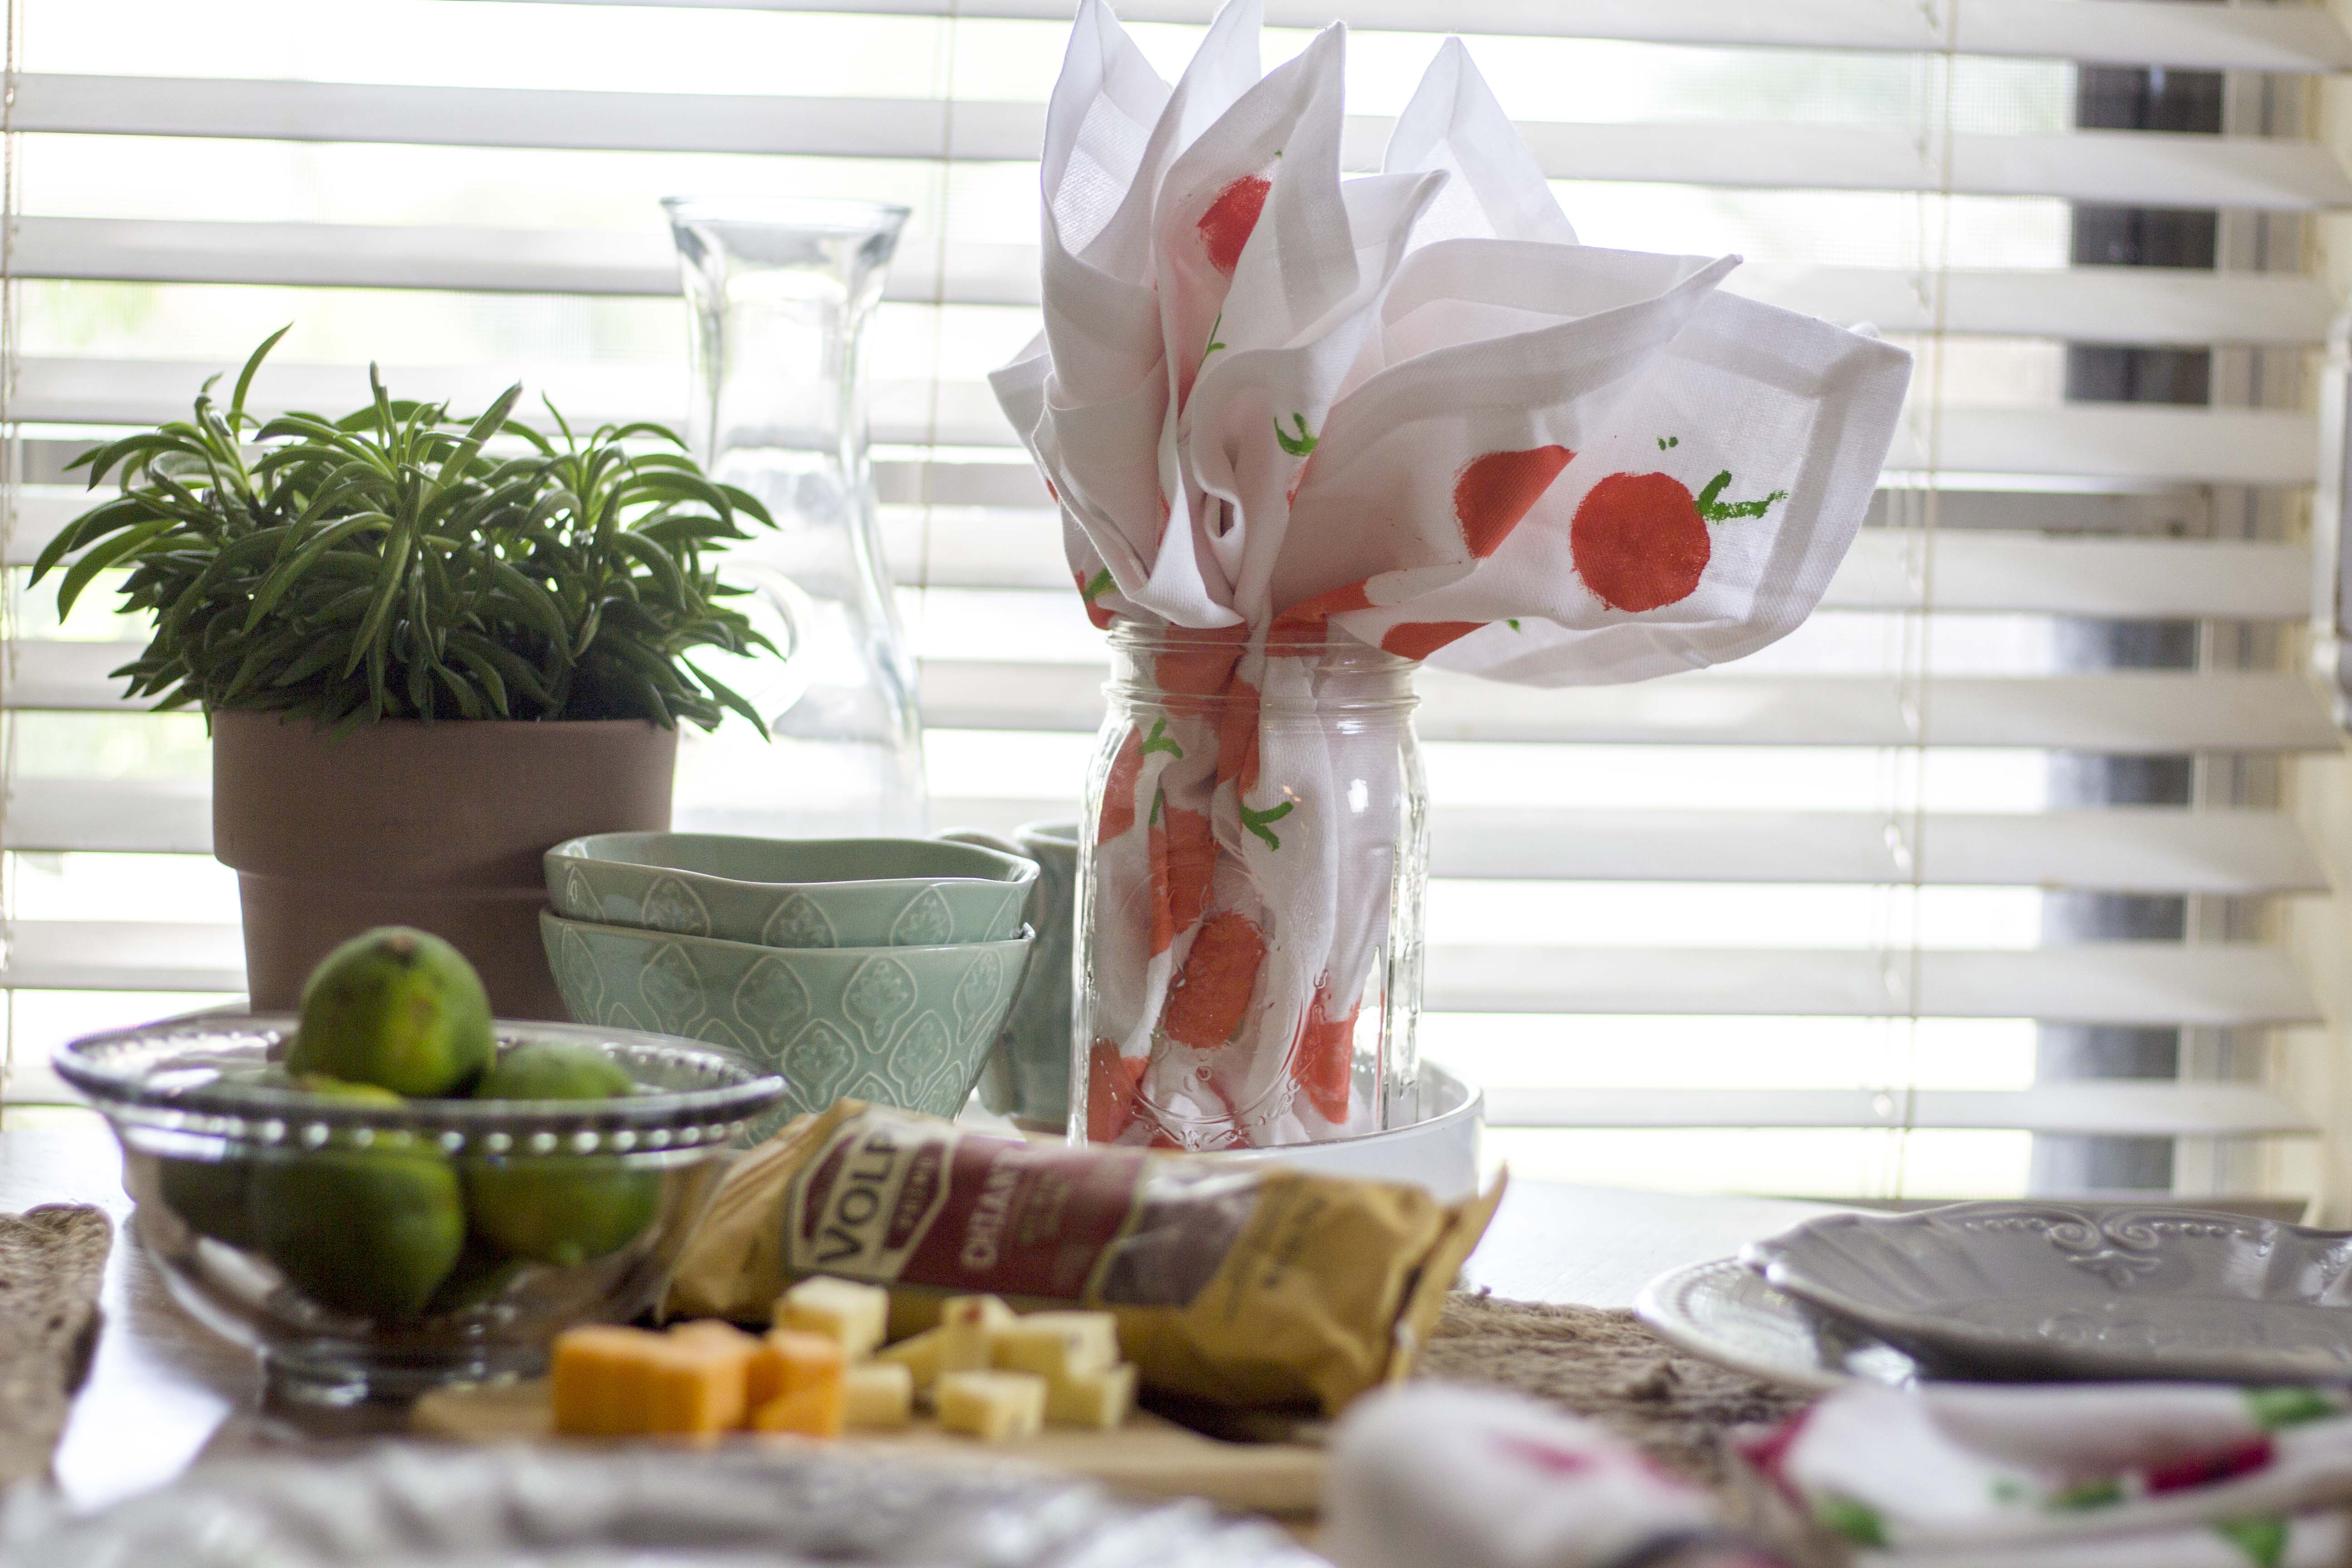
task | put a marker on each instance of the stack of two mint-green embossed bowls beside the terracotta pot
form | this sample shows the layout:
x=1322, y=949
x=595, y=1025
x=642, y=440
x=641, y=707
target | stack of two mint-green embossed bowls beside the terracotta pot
x=876, y=970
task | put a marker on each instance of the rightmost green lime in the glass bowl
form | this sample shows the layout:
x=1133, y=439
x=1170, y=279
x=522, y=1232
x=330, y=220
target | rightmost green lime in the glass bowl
x=559, y=1209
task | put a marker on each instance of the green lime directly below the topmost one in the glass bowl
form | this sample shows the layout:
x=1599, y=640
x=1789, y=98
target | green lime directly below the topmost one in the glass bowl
x=370, y=1233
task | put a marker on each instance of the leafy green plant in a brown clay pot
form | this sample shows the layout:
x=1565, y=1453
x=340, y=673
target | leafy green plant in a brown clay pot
x=427, y=650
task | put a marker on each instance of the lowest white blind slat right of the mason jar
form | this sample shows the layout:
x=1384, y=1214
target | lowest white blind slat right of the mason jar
x=2104, y=1111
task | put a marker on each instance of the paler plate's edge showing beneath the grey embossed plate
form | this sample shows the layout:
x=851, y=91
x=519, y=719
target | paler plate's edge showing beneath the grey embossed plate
x=1725, y=1313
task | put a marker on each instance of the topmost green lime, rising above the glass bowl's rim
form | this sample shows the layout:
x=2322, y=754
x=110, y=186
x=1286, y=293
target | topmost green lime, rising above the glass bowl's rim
x=399, y=1010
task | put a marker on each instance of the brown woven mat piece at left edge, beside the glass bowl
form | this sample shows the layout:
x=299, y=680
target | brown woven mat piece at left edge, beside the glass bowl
x=51, y=1268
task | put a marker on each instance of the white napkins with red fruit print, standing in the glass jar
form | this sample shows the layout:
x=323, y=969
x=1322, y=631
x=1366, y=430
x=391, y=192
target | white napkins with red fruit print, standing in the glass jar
x=1403, y=406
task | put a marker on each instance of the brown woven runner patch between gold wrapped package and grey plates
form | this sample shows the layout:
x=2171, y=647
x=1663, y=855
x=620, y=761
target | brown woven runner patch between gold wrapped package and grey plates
x=1612, y=1369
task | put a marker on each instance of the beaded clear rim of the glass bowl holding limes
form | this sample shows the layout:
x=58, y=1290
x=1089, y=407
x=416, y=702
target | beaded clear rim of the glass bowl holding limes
x=121, y=1073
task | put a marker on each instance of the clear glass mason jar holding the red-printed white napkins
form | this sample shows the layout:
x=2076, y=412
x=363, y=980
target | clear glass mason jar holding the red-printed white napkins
x=1252, y=869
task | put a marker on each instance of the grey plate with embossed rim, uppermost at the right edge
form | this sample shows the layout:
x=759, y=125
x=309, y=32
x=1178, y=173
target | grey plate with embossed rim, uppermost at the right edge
x=2080, y=1292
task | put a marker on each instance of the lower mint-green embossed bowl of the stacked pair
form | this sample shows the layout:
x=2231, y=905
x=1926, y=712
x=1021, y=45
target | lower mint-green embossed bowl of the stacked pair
x=900, y=1026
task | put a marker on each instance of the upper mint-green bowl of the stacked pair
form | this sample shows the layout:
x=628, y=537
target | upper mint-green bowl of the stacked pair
x=794, y=892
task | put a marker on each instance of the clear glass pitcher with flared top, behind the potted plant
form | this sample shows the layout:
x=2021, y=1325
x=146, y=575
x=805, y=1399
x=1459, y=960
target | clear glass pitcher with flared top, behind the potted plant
x=782, y=293
